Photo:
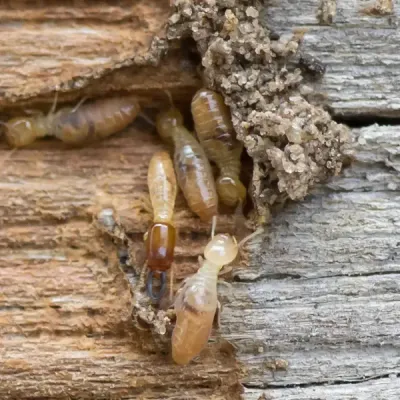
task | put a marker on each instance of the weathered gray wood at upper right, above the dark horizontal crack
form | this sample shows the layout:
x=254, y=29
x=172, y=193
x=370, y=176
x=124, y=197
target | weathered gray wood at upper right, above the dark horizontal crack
x=360, y=52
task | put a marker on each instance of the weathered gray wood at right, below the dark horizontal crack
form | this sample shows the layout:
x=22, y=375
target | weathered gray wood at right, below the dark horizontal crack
x=322, y=291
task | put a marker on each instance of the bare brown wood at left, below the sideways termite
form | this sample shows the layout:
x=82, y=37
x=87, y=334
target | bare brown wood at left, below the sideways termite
x=65, y=306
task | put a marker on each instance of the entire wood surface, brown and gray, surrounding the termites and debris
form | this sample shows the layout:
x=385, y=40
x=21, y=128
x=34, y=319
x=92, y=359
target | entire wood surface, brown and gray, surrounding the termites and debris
x=314, y=315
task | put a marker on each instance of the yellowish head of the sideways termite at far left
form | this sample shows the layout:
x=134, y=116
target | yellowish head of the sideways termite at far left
x=23, y=131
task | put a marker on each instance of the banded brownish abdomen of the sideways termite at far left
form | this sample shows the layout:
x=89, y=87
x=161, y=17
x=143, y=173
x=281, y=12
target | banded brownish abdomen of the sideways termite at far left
x=96, y=120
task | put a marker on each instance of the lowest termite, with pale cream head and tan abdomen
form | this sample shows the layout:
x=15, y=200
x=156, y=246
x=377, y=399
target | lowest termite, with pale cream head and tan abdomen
x=196, y=302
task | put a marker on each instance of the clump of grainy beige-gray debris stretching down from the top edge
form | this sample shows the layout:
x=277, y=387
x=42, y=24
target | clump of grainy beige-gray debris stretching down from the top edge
x=294, y=144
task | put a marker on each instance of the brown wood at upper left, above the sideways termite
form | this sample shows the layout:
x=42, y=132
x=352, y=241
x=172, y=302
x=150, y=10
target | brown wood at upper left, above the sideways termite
x=87, y=48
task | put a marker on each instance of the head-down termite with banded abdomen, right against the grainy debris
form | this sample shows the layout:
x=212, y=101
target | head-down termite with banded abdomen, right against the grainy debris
x=216, y=134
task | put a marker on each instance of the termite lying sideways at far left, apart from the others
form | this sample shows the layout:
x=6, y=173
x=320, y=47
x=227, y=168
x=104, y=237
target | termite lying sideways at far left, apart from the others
x=96, y=120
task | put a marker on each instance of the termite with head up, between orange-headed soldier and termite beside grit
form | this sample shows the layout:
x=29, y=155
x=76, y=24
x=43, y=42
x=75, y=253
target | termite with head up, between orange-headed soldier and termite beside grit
x=193, y=170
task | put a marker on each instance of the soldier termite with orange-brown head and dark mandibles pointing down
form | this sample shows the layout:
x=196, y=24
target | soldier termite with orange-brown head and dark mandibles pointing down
x=161, y=236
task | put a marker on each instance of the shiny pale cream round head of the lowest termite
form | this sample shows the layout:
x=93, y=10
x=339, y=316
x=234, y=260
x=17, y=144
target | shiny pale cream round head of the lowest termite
x=221, y=250
